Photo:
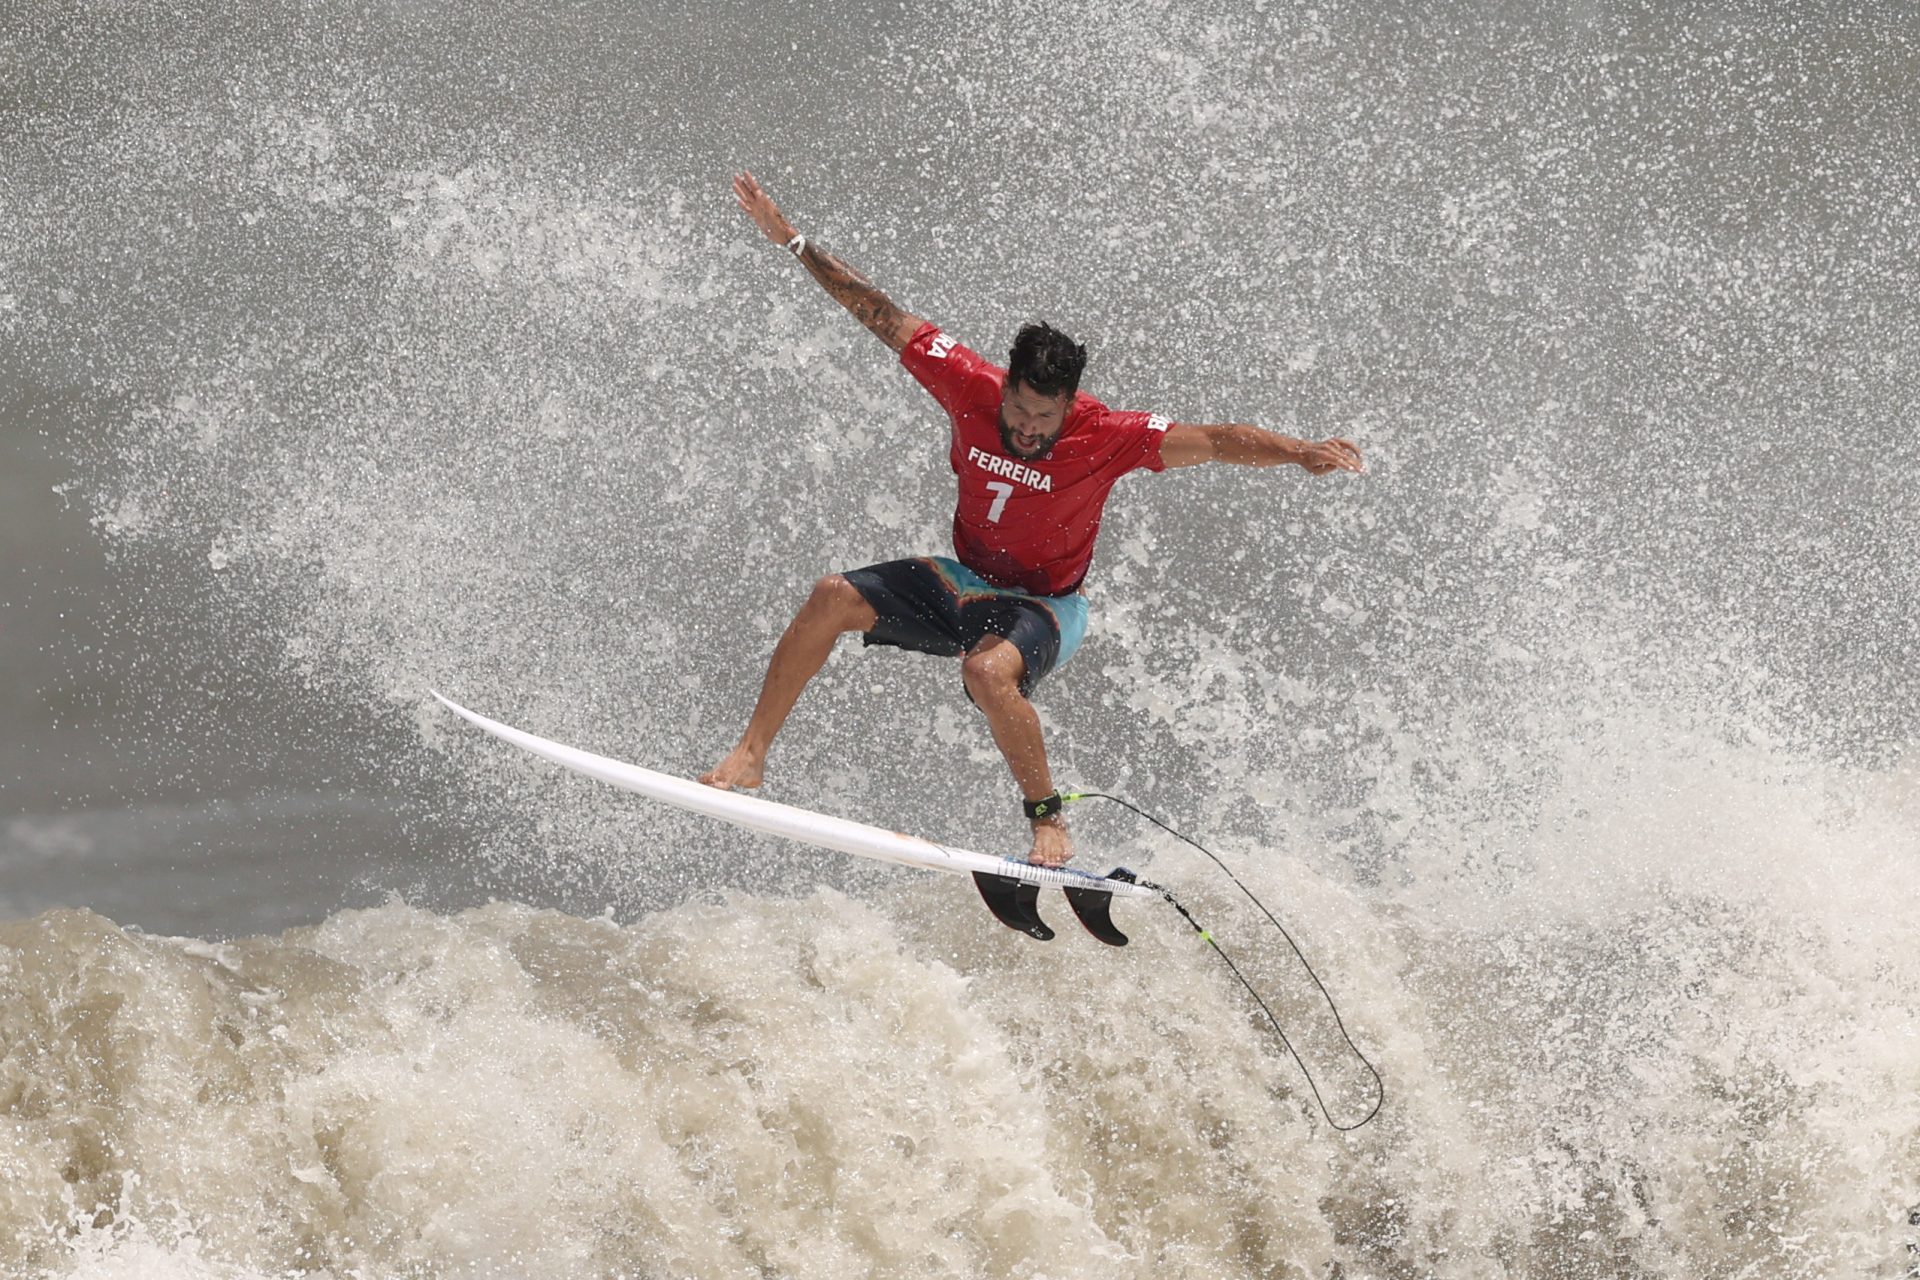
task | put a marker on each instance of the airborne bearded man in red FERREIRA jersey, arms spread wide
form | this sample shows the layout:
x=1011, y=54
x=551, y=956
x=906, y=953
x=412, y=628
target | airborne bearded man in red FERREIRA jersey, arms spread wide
x=1036, y=462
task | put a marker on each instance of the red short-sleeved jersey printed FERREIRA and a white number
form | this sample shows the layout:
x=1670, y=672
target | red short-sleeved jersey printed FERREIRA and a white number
x=1028, y=523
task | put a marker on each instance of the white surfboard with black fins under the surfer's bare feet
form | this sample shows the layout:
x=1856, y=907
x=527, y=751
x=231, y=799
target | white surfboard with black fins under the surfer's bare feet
x=846, y=836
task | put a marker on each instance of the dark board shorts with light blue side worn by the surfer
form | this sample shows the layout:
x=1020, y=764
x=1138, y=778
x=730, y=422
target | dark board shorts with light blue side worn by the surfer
x=942, y=607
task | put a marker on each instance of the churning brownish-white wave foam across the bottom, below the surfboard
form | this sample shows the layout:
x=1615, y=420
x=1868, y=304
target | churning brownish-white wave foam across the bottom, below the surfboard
x=1696, y=1081
